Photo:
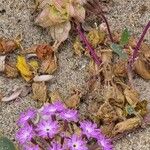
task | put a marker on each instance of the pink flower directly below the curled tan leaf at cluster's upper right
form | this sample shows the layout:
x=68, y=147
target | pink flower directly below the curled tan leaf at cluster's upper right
x=69, y=115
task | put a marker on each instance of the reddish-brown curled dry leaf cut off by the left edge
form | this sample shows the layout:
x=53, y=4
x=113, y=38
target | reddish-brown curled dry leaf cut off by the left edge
x=7, y=46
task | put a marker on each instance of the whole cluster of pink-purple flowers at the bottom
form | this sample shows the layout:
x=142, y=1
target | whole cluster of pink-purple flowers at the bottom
x=51, y=125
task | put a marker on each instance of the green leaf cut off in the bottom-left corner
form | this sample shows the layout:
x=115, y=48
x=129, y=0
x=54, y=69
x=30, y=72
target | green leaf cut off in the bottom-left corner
x=6, y=144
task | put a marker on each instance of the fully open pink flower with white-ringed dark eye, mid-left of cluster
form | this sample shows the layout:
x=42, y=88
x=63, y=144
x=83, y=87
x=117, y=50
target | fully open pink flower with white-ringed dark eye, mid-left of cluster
x=47, y=128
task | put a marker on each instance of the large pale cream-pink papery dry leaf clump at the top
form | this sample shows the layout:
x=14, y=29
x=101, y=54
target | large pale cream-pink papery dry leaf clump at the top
x=57, y=16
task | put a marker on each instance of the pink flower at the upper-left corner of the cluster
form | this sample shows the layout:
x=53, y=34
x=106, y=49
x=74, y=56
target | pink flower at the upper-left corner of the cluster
x=26, y=116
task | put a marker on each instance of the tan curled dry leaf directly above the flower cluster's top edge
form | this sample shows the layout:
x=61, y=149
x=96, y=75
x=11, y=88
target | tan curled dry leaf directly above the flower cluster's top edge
x=74, y=100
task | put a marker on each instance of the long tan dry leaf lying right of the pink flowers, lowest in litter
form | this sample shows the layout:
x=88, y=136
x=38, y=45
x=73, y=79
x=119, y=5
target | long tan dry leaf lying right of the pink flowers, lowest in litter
x=126, y=125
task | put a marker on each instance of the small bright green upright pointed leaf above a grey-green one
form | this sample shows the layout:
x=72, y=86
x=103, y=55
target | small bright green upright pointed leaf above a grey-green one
x=125, y=37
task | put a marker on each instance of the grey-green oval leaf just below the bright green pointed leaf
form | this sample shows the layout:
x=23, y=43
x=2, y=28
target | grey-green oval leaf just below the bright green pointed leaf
x=119, y=50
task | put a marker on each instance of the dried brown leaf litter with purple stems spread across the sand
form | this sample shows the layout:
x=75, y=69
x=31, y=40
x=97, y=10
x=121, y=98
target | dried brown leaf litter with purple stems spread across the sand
x=115, y=104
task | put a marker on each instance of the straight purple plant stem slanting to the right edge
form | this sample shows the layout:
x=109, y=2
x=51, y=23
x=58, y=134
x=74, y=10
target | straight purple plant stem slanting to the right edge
x=136, y=49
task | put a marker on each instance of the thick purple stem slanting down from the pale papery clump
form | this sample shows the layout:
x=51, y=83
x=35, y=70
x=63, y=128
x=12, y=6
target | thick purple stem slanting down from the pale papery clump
x=97, y=60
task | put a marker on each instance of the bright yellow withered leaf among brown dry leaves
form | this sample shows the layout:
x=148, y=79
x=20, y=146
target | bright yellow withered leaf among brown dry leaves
x=24, y=68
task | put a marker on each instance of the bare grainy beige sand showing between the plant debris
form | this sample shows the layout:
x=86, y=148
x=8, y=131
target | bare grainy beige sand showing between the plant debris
x=16, y=17
